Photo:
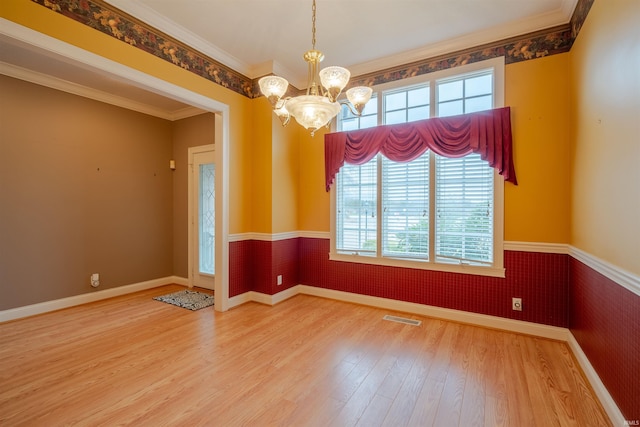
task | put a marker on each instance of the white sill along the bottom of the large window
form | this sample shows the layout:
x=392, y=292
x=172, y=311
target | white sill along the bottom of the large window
x=492, y=271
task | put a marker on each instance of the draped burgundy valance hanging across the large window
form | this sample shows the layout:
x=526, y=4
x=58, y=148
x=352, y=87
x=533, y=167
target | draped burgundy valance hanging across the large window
x=487, y=133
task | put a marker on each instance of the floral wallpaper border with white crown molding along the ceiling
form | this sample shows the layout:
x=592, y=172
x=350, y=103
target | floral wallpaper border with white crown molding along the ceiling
x=197, y=55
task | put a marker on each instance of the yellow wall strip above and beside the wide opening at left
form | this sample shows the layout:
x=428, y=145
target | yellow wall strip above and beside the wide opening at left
x=45, y=21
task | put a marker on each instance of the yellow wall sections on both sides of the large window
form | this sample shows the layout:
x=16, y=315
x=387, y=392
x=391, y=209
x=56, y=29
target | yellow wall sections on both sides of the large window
x=538, y=209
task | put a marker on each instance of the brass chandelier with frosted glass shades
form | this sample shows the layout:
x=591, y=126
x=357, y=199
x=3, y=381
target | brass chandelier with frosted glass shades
x=320, y=105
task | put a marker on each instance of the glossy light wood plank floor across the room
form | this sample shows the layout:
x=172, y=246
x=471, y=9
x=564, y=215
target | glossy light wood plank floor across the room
x=131, y=360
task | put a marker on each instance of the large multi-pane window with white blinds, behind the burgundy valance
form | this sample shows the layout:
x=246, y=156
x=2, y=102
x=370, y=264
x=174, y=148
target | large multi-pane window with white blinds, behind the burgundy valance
x=433, y=212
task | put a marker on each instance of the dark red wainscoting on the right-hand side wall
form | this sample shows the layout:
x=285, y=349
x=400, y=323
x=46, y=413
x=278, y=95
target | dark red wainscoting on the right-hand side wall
x=604, y=317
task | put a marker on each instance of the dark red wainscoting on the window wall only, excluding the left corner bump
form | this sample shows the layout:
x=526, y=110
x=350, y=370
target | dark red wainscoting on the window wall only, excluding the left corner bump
x=540, y=279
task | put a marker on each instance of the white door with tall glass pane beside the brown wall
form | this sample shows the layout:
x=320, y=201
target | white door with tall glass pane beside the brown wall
x=202, y=217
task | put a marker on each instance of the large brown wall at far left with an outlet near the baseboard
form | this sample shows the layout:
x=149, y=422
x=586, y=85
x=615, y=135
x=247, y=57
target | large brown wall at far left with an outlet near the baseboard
x=84, y=187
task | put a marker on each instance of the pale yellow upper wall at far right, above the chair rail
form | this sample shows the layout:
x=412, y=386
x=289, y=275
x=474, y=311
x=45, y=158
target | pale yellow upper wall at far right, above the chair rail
x=605, y=96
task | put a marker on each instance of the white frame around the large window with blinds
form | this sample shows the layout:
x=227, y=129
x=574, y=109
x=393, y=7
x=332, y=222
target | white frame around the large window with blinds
x=497, y=268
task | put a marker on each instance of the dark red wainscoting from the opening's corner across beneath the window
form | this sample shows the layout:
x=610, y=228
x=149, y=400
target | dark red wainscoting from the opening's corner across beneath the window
x=540, y=279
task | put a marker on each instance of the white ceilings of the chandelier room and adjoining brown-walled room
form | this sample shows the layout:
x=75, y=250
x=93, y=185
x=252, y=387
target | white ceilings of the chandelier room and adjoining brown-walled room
x=258, y=37
